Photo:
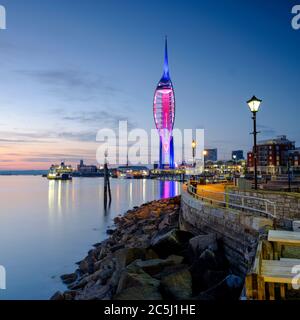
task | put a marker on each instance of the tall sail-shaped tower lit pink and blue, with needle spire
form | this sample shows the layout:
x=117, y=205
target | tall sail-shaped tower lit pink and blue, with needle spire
x=164, y=116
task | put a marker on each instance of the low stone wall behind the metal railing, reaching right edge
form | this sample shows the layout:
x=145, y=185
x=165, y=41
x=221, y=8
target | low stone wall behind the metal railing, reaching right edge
x=287, y=204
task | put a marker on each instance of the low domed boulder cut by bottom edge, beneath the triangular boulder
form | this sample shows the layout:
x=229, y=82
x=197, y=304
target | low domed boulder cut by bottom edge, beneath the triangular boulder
x=139, y=293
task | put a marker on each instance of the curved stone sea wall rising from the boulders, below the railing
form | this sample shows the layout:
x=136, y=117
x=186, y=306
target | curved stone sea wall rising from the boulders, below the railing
x=238, y=232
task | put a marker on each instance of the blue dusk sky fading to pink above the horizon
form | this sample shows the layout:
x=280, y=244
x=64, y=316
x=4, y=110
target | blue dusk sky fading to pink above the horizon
x=70, y=68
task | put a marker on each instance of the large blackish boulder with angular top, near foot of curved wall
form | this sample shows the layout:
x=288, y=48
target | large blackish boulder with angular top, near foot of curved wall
x=172, y=242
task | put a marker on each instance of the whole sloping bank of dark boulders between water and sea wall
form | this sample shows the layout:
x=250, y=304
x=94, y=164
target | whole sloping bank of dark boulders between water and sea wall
x=147, y=257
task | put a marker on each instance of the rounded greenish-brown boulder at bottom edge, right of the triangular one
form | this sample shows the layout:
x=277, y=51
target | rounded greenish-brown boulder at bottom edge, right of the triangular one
x=178, y=285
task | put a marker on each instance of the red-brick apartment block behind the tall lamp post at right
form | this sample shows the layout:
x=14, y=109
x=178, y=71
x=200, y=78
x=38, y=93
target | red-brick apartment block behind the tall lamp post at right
x=272, y=155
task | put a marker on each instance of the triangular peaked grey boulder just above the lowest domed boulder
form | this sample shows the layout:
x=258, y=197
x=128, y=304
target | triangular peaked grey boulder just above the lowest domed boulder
x=134, y=276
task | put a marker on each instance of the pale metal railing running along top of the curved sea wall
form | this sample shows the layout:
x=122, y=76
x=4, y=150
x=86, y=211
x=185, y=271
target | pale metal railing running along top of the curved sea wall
x=235, y=201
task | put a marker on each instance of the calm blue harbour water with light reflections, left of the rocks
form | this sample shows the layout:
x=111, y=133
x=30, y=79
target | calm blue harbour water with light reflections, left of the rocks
x=46, y=226
